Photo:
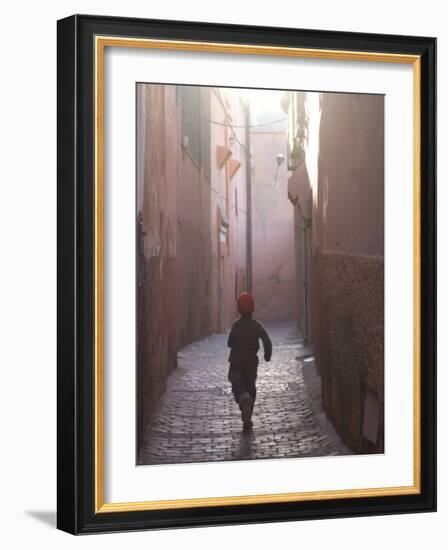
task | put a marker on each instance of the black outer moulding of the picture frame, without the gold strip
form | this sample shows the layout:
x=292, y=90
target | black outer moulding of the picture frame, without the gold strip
x=76, y=474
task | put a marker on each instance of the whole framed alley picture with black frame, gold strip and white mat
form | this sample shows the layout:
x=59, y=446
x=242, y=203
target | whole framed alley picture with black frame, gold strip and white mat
x=246, y=274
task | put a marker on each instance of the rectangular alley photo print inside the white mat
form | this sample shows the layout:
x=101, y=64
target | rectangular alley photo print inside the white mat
x=260, y=273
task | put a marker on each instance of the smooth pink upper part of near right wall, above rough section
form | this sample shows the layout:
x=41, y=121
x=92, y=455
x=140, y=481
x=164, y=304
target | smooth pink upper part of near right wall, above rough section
x=350, y=195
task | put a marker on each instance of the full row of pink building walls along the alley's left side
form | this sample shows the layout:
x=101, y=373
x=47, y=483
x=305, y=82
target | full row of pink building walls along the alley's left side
x=192, y=225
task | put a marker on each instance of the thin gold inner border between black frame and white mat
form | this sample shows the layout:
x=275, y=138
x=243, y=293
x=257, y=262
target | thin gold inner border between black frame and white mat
x=100, y=43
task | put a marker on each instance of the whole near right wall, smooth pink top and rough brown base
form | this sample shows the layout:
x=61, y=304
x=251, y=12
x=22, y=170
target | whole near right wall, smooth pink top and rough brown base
x=347, y=284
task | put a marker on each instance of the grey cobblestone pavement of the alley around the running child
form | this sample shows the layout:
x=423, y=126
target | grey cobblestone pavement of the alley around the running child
x=197, y=419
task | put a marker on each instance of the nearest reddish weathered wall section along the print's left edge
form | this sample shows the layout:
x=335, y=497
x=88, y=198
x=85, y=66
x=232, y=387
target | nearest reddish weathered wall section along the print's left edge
x=156, y=298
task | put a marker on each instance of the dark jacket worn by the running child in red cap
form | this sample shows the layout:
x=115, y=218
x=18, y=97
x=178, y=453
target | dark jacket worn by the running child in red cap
x=244, y=340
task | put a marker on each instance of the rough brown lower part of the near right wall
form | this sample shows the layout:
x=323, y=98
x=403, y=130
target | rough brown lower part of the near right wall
x=348, y=327
